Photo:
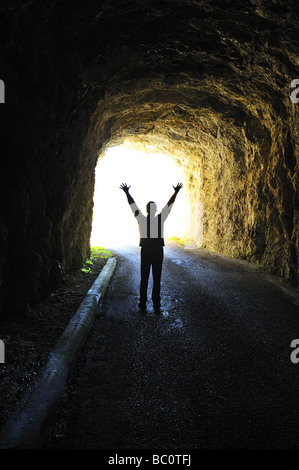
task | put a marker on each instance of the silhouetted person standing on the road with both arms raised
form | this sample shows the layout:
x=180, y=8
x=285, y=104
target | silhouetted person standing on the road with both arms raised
x=151, y=228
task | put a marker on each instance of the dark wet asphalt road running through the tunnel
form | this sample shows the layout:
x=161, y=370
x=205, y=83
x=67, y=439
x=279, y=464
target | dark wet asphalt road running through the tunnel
x=212, y=370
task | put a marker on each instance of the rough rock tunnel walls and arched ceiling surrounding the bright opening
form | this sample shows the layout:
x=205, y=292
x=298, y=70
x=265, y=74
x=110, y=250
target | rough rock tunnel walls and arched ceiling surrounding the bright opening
x=206, y=82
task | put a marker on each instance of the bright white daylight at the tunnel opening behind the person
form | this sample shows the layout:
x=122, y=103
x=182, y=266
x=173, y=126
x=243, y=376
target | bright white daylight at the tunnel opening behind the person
x=151, y=177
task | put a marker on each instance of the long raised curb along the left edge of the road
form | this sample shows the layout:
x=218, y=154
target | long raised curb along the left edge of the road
x=27, y=428
